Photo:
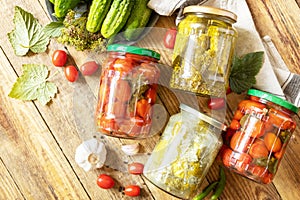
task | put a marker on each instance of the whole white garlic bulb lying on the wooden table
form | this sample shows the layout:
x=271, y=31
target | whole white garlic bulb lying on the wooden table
x=91, y=154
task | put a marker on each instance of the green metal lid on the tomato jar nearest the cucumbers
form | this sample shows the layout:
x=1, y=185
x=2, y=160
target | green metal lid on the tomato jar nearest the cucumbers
x=134, y=50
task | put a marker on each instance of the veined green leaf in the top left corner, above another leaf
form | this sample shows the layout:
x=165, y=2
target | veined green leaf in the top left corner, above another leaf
x=28, y=34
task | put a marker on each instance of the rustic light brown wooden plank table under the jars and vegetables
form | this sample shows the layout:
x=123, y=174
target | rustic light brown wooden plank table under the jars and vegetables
x=38, y=142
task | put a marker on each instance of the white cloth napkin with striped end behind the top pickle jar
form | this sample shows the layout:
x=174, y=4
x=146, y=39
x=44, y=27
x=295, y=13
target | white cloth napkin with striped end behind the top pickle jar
x=274, y=77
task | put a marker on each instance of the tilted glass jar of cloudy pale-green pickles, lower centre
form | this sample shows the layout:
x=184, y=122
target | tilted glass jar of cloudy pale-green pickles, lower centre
x=186, y=150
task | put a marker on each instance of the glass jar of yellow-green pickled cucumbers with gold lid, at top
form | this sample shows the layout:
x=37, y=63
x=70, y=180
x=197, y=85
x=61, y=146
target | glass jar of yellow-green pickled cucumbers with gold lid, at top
x=203, y=51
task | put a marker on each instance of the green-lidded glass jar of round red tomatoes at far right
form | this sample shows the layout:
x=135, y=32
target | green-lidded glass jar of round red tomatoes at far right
x=258, y=135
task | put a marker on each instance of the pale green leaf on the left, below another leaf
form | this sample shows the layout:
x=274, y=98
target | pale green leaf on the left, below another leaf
x=33, y=84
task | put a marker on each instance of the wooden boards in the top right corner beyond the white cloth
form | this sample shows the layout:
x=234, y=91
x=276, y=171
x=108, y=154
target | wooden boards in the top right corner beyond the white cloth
x=281, y=22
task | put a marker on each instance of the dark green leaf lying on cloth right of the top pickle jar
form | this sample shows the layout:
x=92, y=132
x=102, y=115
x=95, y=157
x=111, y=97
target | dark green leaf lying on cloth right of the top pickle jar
x=244, y=70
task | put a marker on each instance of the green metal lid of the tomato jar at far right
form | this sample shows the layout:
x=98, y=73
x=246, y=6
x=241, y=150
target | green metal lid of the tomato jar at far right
x=274, y=99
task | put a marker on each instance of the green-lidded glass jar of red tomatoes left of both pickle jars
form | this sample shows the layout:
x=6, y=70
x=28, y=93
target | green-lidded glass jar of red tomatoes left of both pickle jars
x=127, y=92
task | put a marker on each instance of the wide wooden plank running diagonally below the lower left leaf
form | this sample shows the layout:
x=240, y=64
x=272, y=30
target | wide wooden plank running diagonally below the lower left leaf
x=29, y=151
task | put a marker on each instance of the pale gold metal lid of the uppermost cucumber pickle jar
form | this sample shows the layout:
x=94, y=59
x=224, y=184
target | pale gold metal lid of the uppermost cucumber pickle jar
x=210, y=10
